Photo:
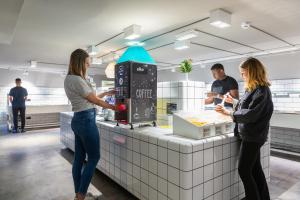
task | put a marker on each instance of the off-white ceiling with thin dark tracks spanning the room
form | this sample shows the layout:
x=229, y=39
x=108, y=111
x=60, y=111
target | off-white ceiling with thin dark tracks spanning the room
x=49, y=30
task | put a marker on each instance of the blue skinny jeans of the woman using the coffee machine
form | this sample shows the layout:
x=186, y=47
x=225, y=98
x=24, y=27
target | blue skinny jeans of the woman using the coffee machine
x=86, y=142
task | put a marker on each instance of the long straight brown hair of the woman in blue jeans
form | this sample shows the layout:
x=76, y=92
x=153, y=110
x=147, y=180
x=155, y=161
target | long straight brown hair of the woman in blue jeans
x=77, y=63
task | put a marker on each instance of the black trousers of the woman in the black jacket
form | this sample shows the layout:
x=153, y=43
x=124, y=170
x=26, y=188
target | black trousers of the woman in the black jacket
x=251, y=172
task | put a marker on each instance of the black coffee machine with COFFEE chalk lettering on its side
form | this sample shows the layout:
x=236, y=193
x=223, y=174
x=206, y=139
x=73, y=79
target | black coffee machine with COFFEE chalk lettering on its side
x=136, y=92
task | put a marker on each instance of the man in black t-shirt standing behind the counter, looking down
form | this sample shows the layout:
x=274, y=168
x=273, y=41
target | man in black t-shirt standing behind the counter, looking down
x=222, y=85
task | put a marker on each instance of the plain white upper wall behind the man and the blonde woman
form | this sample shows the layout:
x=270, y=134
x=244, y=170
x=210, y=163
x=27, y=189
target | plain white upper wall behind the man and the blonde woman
x=284, y=66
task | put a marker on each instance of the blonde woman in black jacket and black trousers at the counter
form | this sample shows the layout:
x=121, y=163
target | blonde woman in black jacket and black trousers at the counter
x=252, y=114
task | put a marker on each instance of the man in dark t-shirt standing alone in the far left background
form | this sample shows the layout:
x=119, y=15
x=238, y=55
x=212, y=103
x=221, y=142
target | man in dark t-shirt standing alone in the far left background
x=17, y=97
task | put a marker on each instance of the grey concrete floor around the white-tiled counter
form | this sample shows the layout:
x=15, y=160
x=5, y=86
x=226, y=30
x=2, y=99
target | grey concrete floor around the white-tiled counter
x=36, y=166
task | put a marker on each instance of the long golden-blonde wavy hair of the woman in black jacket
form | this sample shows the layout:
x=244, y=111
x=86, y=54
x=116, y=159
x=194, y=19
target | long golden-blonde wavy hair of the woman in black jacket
x=257, y=74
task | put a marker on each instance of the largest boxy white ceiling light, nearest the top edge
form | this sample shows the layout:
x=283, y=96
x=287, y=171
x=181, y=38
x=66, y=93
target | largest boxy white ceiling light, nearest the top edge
x=220, y=18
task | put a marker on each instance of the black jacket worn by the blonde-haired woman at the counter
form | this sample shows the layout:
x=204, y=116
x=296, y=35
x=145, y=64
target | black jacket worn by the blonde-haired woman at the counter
x=252, y=115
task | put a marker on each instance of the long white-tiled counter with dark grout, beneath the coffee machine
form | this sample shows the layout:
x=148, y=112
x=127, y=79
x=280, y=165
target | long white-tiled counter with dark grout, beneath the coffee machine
x=154, y=164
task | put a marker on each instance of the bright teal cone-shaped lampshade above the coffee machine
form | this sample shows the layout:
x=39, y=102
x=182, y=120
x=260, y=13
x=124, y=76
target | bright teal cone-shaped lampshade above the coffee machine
x=136, y=54
